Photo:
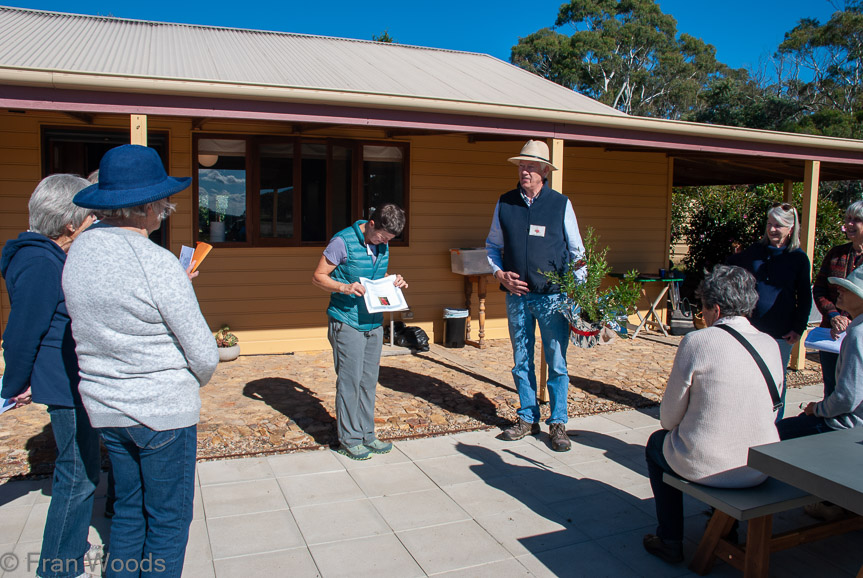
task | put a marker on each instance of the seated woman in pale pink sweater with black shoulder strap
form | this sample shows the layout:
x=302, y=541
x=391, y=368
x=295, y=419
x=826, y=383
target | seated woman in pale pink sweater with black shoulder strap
x=717, y=404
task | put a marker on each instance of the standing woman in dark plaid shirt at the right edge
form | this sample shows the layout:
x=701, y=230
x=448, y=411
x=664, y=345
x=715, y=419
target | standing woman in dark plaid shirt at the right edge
x=839, y=262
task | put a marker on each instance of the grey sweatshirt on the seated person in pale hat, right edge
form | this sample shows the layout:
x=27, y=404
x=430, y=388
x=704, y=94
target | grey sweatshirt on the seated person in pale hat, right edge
x=843, y=408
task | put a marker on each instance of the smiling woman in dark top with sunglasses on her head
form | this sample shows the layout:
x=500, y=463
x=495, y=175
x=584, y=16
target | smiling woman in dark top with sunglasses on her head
x=781, y=270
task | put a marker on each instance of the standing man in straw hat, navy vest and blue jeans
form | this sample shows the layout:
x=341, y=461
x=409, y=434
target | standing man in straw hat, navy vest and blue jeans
x=534, y=228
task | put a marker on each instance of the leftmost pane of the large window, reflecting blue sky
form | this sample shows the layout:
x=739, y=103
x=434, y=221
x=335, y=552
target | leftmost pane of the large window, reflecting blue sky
x=221, y=190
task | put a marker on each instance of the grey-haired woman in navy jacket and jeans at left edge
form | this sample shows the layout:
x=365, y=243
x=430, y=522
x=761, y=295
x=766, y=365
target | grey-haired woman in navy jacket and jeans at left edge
x=41, y=365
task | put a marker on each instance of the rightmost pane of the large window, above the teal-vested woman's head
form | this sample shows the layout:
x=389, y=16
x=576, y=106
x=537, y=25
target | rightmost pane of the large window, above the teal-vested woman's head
x=383, y=176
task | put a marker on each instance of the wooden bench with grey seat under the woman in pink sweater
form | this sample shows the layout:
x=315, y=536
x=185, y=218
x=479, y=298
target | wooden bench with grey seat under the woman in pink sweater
x=757, y=505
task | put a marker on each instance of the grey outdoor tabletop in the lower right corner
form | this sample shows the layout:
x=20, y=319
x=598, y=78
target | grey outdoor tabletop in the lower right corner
x=826, y=465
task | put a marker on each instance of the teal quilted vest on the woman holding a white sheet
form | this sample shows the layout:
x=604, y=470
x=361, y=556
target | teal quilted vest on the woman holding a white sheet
x=351, y=309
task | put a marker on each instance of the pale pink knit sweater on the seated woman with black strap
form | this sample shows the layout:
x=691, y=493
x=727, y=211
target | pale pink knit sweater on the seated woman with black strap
x=717, y=405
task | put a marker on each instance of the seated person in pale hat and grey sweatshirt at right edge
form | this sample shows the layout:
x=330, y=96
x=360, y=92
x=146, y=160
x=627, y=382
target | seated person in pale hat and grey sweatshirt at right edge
x=843, y=408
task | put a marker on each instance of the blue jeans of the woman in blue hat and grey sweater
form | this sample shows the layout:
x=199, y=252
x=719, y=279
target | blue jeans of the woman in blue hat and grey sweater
x=154, y=472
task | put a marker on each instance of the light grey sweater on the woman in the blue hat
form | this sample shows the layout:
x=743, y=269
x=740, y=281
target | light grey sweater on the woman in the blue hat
x=143, y=345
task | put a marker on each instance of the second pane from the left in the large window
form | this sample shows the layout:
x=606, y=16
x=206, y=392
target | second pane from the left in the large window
x=277, y=191
